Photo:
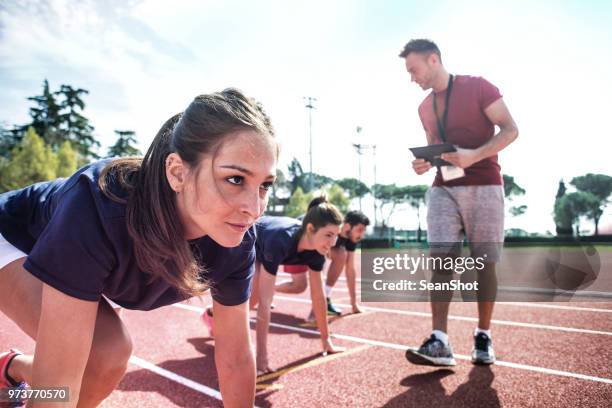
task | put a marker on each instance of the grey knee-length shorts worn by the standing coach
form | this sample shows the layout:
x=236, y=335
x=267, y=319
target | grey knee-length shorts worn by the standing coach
x=472, y=212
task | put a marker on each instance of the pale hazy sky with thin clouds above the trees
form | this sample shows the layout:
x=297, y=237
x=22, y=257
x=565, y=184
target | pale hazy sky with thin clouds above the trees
x=143, y=61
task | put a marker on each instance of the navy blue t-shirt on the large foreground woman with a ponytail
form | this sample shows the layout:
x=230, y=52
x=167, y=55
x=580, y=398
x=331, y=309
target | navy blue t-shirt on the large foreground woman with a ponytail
x=77, y=241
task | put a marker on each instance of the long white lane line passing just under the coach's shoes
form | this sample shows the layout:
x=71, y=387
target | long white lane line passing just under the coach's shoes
x=403, y=347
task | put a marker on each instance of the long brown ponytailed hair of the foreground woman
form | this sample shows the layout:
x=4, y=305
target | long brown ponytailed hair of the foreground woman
x=160, y=247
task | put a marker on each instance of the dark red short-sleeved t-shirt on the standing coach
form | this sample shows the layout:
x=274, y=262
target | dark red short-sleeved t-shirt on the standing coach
x=467, y=126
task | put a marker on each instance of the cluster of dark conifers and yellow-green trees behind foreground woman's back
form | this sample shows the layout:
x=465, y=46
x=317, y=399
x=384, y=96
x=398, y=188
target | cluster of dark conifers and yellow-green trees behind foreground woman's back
x=56, y=141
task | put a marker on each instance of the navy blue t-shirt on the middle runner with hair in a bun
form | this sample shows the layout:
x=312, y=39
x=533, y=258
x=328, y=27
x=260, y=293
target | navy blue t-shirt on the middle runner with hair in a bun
x=277, y=245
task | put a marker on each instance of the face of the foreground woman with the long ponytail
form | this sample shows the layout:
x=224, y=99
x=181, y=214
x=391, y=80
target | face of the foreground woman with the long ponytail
x=228, y=191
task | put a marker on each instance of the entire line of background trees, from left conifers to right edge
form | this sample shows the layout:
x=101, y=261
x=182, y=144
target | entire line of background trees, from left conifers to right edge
x=59, y=138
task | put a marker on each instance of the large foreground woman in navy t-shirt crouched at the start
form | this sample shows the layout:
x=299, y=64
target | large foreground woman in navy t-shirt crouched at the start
x=144, y=233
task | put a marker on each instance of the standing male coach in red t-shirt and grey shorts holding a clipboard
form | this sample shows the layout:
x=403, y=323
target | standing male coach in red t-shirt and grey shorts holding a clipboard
x=467, y=199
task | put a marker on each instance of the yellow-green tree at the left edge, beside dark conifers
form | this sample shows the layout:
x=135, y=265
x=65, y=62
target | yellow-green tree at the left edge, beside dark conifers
x=31, y=161
